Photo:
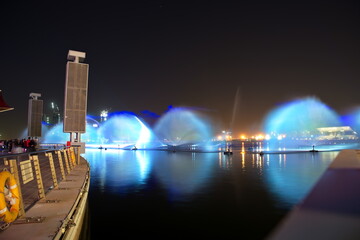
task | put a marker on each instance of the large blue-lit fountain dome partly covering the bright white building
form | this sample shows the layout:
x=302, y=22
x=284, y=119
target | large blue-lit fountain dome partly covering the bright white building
x=304, y=123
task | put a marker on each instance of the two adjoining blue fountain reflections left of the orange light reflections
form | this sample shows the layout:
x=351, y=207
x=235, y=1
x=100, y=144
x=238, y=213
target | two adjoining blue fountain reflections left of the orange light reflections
x=120, y=170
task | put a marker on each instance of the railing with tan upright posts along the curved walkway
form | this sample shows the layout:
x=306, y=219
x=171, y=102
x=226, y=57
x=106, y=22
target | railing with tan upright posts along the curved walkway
x=38, y=172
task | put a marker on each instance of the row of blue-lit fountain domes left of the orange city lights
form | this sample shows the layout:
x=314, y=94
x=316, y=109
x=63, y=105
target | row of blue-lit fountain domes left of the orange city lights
x=179, y=128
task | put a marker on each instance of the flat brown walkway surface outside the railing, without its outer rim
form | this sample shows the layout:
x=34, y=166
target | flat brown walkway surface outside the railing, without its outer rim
x=50, y=211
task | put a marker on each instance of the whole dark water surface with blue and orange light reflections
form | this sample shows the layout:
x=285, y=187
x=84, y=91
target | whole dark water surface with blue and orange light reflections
x=165, y=195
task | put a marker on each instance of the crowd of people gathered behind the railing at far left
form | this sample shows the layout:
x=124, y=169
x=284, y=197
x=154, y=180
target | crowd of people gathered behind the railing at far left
x=18, y=145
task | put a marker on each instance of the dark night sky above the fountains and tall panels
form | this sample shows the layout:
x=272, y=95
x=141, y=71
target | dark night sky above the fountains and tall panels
x=146, y=55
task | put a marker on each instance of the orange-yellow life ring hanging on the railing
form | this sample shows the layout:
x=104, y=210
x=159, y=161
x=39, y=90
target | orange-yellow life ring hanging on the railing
x=9, y=200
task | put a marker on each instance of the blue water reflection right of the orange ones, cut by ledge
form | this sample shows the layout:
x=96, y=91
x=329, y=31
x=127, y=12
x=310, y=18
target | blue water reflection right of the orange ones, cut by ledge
x=290, y=177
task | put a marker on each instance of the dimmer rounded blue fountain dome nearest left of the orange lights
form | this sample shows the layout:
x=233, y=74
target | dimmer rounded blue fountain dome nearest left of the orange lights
x=182, y=128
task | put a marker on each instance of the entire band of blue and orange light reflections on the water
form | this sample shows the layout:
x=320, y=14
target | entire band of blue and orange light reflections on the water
x=287, y=176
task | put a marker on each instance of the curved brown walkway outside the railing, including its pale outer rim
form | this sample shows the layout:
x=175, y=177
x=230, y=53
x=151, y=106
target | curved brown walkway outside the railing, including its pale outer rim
x=59, y=214
